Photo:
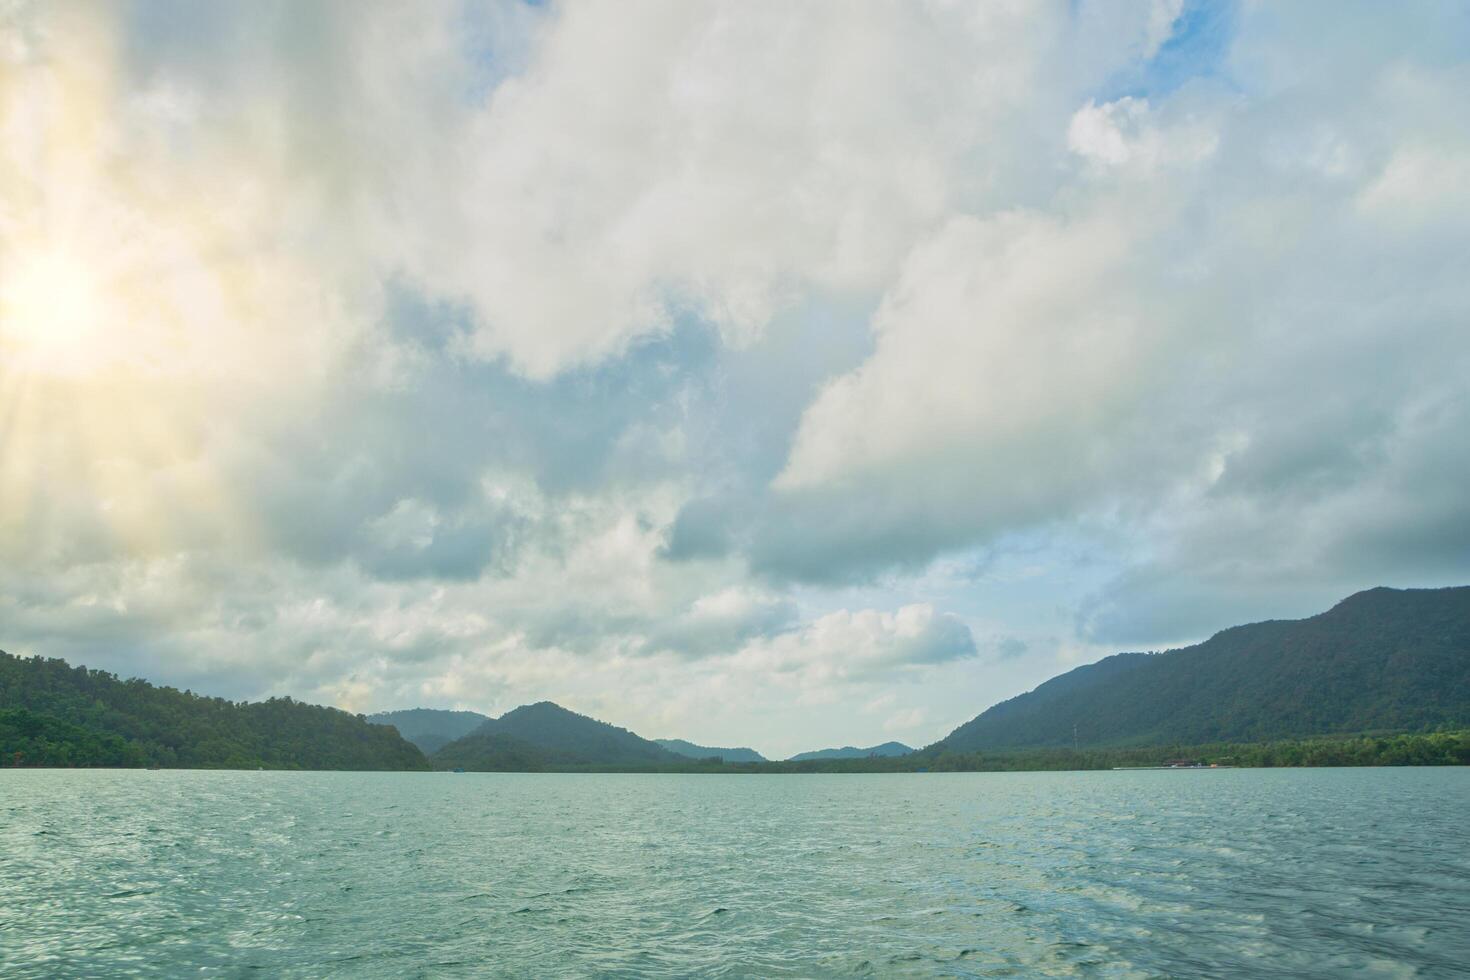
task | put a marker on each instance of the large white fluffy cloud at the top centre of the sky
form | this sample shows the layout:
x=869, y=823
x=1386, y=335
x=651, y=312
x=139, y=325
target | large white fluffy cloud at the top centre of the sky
x=724, y=159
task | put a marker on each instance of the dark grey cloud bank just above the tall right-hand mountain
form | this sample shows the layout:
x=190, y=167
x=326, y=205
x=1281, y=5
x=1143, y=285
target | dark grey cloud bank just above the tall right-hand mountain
x=1294, y=546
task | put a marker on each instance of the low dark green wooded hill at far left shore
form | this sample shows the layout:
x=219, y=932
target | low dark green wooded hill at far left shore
x=57, y=715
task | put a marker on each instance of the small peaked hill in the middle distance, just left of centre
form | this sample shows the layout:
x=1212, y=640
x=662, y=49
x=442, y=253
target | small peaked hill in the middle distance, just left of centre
x=546, y=735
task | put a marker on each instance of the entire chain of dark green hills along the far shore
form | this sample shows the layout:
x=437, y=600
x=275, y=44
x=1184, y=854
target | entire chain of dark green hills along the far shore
x=1380, y=662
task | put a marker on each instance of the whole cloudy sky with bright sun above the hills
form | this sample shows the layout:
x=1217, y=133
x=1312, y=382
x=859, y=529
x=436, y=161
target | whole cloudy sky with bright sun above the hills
x=758, y=374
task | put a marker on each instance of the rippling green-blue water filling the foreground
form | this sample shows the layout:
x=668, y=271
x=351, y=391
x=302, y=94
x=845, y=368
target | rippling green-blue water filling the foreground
x=1228, y=873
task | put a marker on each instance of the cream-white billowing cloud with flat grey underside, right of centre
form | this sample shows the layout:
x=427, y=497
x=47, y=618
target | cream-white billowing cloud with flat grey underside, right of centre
x=999, y=365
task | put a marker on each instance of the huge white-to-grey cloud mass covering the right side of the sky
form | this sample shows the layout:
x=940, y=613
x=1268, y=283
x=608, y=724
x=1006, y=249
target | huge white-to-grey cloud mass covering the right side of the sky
x=1227, y=347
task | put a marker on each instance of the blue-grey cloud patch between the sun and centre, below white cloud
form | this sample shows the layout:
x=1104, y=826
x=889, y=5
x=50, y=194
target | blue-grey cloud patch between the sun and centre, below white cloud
x=323, y=489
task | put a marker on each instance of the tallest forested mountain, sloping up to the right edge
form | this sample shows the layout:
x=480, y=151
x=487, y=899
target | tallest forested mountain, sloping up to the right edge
x=1384, y=660
